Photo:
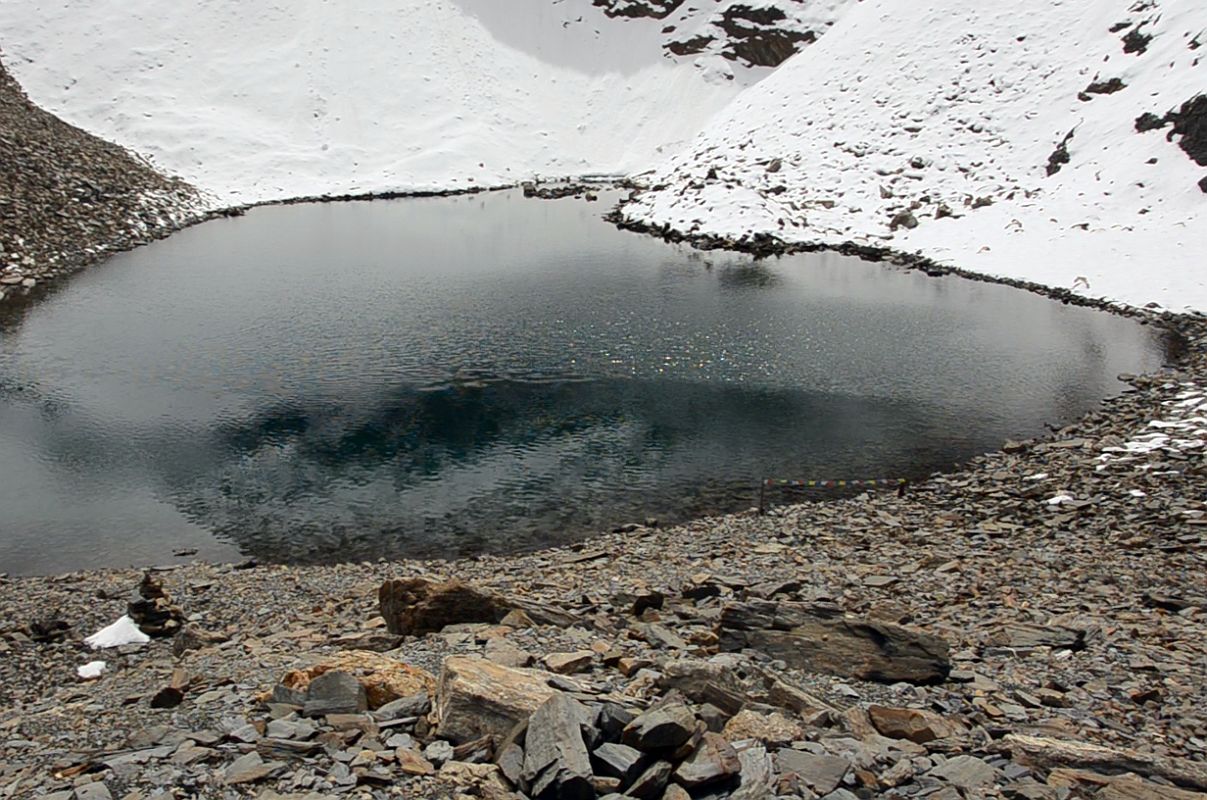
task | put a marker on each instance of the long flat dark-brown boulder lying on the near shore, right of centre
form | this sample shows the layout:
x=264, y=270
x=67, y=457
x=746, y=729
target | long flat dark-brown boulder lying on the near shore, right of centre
x=824, y=639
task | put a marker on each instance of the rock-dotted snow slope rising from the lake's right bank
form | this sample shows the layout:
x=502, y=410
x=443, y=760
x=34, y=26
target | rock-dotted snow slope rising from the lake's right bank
x=947, y=107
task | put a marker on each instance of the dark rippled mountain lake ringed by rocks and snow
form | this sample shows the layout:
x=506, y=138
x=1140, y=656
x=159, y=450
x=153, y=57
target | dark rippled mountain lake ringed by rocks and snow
x=436, y=377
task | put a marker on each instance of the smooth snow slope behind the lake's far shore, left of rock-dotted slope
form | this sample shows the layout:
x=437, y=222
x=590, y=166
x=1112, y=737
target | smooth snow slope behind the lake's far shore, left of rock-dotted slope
x=273, y=100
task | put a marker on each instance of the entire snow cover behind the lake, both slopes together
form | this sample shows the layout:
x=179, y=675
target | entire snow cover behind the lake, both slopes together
x=947, y=114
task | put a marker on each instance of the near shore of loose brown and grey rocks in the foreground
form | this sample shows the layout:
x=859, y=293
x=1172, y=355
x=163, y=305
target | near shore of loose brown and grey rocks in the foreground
x=1035, y=627
